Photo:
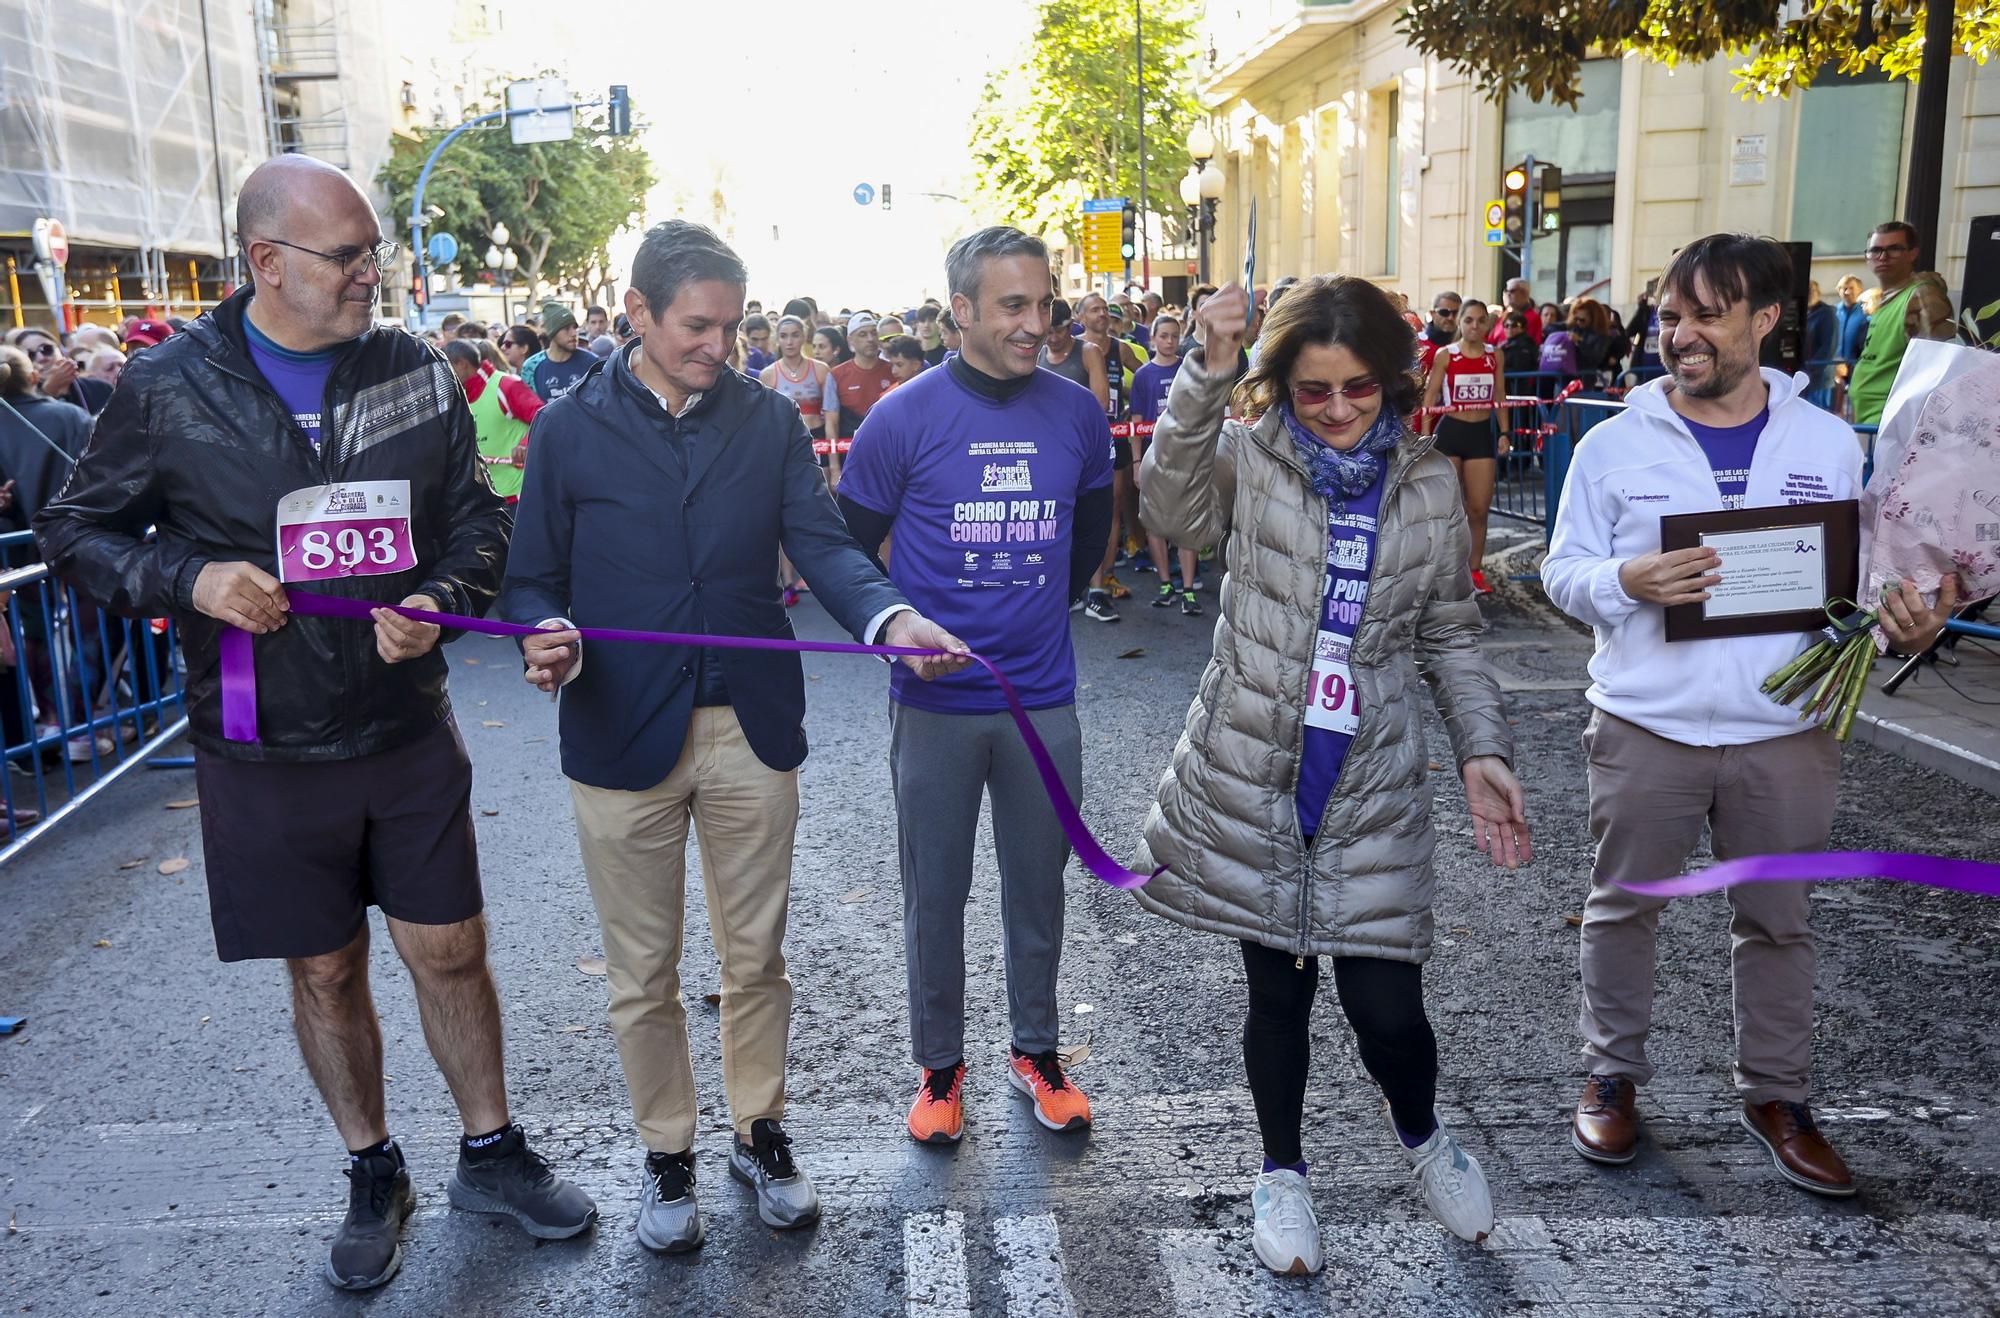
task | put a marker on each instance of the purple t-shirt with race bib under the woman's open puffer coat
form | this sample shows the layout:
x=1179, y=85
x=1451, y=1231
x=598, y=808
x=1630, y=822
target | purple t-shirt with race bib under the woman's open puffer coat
x=1333, y=707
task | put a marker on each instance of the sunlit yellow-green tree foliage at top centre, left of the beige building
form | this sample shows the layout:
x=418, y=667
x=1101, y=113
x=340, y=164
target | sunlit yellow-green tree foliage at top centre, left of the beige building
x=1059, y=123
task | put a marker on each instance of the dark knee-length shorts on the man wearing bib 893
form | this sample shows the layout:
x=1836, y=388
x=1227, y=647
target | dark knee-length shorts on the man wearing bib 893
x=299, y=853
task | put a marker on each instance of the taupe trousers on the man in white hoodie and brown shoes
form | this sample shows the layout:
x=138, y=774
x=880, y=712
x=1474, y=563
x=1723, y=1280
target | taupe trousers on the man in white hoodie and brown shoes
x=1649, y=801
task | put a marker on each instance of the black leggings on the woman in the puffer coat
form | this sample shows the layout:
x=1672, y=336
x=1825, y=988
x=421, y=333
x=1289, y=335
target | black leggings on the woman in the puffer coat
x=1385, y=1003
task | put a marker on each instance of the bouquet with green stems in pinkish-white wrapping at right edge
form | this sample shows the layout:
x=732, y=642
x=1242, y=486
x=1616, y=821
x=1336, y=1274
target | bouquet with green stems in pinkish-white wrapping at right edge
x=1931, y=511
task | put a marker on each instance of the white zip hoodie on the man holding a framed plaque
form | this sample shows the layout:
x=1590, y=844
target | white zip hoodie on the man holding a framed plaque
x=1625, y=477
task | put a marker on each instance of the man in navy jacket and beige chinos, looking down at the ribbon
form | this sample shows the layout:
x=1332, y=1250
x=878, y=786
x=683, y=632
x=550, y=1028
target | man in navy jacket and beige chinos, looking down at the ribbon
x=659, y=497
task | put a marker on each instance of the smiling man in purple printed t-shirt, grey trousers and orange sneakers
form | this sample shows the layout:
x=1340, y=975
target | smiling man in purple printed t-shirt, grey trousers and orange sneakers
x=997, y=483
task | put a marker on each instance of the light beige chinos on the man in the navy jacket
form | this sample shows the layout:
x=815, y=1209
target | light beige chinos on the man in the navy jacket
x=635, y=855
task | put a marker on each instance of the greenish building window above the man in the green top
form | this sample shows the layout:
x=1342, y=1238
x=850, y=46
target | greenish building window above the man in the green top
x=1849, y=159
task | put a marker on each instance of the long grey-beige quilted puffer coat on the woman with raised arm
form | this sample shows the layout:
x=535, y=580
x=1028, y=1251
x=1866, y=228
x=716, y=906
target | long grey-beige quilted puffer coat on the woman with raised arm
x=1227, y=821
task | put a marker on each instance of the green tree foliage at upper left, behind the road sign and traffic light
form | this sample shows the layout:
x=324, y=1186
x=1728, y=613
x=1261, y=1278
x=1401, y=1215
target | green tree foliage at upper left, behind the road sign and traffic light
x=561, y=201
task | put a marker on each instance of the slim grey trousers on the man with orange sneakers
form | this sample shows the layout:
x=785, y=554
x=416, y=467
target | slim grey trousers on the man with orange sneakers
x=941, y=765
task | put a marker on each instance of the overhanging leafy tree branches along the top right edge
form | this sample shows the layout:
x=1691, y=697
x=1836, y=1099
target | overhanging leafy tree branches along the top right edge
x=1539, y=45
